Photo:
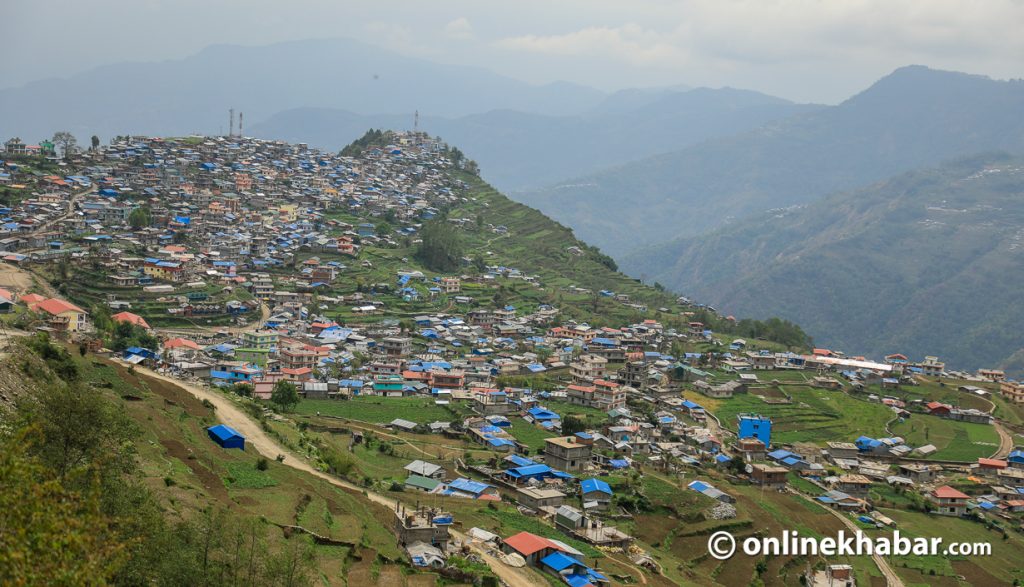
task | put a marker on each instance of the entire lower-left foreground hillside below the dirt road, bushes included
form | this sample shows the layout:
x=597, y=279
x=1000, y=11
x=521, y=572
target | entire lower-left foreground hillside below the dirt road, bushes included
x=117, y=469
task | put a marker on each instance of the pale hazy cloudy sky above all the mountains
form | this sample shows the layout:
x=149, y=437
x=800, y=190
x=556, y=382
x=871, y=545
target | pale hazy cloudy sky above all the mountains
x=814, y=51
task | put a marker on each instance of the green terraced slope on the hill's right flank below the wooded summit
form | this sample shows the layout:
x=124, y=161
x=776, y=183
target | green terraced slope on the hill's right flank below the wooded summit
x=534, y=244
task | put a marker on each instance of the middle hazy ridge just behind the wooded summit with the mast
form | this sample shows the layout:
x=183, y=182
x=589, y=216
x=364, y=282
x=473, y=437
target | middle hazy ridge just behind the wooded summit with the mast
x=519, y=150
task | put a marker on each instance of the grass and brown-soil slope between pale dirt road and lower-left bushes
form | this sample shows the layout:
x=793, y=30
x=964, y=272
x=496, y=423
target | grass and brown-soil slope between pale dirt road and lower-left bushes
x=189, y=473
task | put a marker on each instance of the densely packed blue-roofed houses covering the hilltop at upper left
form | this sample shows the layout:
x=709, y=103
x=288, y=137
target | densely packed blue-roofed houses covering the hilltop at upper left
x=184, y=216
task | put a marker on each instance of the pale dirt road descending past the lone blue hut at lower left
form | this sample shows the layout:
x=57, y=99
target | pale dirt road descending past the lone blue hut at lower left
x=231, y=414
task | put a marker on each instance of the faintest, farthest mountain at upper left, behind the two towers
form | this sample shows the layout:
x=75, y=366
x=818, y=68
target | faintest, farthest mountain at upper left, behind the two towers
x=194, y=95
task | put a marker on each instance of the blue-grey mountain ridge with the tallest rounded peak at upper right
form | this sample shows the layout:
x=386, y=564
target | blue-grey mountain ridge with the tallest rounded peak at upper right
x=912, y=118
